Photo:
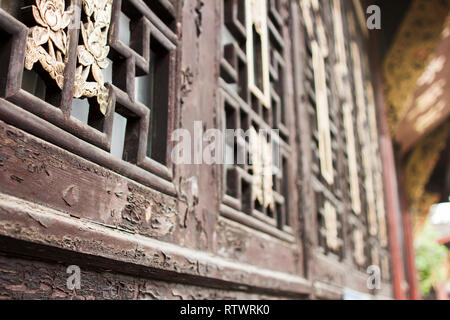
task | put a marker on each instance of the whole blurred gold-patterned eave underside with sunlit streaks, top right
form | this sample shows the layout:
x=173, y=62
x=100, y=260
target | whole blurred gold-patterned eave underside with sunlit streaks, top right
x=415, y=68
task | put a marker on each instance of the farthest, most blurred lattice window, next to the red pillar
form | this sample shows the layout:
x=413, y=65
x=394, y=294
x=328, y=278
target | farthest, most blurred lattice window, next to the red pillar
x=356, y=90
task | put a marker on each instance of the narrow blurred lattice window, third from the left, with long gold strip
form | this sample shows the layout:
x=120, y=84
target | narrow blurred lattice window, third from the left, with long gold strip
x=328, y=140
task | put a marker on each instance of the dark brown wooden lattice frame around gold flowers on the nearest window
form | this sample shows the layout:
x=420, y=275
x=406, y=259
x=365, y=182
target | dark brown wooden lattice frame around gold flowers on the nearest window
x=54, y=123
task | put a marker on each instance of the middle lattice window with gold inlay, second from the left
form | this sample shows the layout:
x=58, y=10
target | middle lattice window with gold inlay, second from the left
x=253, y=97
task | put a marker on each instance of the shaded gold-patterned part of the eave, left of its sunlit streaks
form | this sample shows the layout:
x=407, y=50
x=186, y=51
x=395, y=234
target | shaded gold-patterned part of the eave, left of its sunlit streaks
x=411, y=53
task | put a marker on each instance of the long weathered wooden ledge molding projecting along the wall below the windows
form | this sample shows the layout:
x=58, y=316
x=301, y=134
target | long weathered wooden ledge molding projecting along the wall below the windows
x=61, y=231
